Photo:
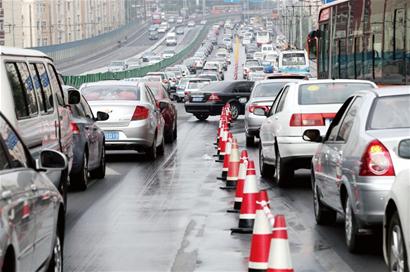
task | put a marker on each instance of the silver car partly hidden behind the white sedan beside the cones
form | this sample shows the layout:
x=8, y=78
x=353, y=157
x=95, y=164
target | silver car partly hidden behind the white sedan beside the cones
x=262, y=96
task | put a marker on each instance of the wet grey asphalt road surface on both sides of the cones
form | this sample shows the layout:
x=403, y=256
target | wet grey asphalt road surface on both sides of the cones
x=170, y=215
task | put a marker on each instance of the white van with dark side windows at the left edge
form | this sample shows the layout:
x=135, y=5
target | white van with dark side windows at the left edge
x=32, y=99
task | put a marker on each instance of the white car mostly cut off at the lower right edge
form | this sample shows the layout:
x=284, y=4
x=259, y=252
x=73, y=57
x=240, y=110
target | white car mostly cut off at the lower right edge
x=396, y=230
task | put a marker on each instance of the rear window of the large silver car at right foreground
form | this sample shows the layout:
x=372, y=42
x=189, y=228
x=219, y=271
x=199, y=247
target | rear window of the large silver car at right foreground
x=398, y=109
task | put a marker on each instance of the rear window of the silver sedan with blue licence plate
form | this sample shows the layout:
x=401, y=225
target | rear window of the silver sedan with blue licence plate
x=96, y=93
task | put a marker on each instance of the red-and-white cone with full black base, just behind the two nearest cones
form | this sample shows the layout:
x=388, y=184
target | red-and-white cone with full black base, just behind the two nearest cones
x=248, y=207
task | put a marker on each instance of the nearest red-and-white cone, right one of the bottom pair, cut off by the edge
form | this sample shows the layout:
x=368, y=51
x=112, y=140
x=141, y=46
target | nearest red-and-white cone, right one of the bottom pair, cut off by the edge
x=279, y=253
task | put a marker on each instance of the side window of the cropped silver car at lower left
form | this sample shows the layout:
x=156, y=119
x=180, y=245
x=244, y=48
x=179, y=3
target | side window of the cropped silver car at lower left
x=13, y=146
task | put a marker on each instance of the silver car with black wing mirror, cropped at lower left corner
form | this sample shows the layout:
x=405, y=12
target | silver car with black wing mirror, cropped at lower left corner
x=32, y=209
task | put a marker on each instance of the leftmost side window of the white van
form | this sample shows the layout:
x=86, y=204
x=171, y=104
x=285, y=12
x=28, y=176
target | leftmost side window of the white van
x=25, y=101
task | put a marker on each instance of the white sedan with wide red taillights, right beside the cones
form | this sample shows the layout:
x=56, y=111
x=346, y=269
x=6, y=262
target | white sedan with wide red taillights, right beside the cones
x=300, y=106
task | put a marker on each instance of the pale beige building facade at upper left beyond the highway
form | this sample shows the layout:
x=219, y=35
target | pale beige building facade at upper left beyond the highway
x=32, y=23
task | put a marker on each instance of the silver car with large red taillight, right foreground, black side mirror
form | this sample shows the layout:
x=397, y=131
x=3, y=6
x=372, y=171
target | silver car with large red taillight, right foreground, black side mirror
x=355, y=166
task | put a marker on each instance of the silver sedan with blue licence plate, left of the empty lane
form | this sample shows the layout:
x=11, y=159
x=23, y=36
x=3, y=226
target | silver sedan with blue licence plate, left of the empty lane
x=135, y=121
